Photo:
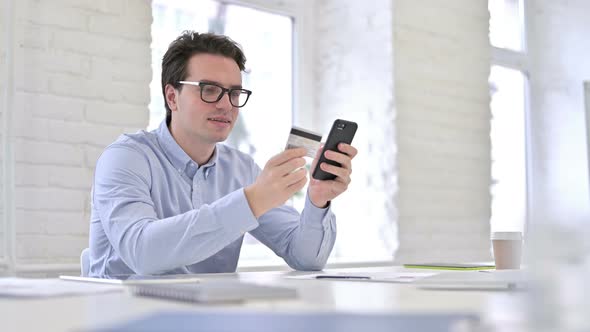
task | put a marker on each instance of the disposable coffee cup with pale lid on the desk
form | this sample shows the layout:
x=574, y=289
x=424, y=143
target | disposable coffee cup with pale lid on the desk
x=507, y=247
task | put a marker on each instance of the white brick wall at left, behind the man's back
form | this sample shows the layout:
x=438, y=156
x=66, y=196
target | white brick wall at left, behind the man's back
x=82, y=71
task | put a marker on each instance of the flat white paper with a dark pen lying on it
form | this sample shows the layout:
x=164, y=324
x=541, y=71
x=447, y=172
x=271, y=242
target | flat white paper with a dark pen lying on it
x=402, y=277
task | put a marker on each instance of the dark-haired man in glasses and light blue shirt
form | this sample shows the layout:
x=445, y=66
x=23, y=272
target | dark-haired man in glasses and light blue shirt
x=174, y=201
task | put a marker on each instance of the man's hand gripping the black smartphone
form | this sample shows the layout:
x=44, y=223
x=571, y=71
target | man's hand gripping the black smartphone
x=321, y=192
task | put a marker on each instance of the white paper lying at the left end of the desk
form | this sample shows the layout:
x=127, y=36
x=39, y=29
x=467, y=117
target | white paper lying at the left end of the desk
x=32, y=288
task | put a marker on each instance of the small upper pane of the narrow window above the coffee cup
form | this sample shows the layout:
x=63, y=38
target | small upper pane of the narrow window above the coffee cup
x=506, y=24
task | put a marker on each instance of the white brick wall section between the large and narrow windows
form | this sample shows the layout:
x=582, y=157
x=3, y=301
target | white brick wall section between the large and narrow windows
x=441, y=68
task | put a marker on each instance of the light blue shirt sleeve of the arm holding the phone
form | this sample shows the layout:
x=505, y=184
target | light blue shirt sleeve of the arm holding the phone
x=303, y=240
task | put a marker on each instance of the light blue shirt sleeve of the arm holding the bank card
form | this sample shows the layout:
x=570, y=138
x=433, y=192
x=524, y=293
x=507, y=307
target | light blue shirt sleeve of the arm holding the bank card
x=149, y=245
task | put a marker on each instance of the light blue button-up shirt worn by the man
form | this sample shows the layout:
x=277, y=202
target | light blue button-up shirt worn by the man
x=155, y=211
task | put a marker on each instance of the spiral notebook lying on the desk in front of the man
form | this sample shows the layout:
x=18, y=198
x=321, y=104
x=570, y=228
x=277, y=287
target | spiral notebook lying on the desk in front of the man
x=214, y=291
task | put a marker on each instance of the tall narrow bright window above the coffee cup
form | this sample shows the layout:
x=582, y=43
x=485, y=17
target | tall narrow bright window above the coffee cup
x=508, y=85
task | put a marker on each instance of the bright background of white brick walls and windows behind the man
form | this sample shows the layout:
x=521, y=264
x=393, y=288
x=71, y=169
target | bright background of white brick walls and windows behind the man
x=471, y=114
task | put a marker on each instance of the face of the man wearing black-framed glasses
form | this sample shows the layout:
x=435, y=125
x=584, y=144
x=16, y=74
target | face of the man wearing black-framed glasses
x=207, y=123
